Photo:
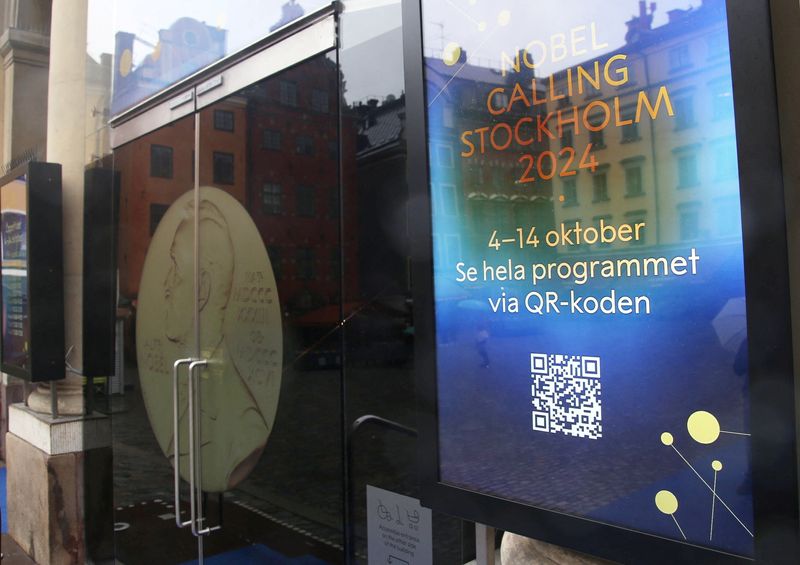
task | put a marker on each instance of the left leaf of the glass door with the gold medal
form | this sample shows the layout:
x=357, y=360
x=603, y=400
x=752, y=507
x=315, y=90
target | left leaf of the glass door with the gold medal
x=150, y=424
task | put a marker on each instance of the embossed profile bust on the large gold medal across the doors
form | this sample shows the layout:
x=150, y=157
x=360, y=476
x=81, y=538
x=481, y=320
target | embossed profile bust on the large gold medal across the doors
x=233, y=430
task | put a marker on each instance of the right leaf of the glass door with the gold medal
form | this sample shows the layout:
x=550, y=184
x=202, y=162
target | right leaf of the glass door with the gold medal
x=269, y=378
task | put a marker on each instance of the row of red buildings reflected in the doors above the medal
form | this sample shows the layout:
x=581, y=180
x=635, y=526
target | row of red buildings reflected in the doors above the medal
x=275, y=148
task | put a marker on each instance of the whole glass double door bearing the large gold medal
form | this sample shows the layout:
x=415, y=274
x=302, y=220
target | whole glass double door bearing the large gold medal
x=228, y=439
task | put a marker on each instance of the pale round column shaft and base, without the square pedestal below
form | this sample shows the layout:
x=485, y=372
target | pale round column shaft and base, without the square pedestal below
x=66, y=143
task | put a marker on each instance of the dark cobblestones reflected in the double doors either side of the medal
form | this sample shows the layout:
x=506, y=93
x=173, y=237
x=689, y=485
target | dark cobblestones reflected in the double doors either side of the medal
x=298, y=477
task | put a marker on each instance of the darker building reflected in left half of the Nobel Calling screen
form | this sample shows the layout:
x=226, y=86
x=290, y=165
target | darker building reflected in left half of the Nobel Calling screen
x=483, y=190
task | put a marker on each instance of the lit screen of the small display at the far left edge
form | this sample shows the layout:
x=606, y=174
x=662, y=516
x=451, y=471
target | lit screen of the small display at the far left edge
x=13, y=231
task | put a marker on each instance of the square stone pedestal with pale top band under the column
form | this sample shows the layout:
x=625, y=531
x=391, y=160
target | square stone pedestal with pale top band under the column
x=59, y=487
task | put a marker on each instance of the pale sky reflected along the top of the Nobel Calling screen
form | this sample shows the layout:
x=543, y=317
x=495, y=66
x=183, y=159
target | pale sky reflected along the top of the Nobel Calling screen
x=460, y=21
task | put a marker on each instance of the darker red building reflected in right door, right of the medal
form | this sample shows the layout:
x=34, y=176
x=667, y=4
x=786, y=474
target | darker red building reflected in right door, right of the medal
x=293, y=181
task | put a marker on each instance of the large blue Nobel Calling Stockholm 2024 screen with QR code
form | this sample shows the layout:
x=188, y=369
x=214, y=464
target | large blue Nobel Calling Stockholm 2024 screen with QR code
x=590, y=304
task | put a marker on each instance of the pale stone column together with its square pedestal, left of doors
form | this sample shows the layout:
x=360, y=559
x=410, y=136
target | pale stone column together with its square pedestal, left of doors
x=60, y=492
